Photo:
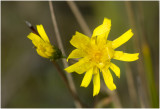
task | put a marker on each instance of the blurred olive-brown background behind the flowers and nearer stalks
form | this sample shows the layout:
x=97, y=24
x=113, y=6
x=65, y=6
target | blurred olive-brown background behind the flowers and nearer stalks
x=30, y=81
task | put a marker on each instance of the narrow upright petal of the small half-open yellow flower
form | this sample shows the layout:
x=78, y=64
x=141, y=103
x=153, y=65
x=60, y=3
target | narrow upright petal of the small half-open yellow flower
x=42, y=33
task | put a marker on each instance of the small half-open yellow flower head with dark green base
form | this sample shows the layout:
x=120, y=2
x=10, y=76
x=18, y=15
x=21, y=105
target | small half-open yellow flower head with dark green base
x=43, y=45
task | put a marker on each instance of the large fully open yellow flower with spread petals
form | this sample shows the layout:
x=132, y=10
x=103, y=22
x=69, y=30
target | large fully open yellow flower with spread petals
x=95, y=55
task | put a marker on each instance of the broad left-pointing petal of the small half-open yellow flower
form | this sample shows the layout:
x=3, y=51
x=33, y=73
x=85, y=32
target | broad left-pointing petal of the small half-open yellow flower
x=36, y=40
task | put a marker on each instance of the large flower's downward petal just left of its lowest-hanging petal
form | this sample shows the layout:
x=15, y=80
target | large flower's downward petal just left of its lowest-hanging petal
x=87, y=78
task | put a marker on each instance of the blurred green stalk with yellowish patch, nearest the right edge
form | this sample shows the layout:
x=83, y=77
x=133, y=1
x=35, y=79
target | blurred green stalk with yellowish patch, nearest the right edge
x=147, y=58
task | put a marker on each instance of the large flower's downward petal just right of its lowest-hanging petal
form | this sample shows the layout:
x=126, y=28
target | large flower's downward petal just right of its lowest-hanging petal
x=108, y=79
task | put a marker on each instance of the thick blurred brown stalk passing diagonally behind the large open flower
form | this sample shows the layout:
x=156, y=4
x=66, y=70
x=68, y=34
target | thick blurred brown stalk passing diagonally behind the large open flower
x=87, y=31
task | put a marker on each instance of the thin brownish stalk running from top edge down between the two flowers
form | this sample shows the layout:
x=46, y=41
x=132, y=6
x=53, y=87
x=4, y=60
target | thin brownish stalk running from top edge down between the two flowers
x=78, y=103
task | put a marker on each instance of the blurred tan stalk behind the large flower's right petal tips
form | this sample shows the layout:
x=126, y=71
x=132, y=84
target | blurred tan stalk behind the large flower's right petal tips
x=144, y=100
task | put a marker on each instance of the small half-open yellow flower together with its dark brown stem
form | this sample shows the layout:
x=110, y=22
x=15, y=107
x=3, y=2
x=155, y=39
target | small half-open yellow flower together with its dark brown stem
x=46, y=50
